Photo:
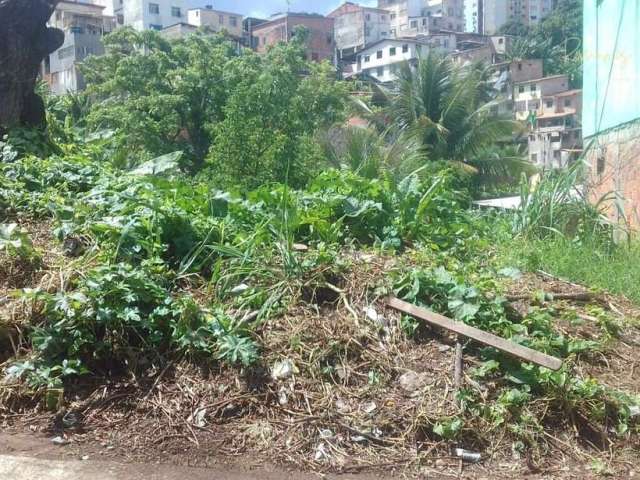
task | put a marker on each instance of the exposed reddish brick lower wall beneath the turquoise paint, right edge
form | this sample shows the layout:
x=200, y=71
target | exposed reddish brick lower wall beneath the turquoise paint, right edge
x=614, y=162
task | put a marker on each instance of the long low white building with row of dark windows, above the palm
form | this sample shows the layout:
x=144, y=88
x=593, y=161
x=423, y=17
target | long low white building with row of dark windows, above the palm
x=382, y=60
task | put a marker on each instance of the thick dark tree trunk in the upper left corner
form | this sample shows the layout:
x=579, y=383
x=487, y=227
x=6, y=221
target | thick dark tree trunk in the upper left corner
x=25, y=41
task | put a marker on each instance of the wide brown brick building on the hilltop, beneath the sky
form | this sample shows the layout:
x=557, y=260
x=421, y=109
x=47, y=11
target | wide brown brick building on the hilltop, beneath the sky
x=281, y=28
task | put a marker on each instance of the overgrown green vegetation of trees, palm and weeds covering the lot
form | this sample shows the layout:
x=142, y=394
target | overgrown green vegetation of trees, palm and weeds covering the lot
x=204, y=195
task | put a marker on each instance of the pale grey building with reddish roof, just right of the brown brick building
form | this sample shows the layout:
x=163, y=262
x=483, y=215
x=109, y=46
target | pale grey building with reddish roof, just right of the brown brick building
x=356, y=26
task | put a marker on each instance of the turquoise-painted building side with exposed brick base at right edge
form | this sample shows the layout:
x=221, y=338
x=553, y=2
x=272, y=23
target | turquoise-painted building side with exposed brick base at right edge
x=611, y=110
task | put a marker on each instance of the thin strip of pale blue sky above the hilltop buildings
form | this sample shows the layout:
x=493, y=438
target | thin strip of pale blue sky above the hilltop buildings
x=264, y=8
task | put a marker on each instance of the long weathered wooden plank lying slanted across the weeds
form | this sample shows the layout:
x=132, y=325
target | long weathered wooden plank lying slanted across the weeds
x=481, y=336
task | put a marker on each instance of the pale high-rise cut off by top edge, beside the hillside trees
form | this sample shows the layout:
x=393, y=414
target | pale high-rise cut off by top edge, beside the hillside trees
x=488, y=16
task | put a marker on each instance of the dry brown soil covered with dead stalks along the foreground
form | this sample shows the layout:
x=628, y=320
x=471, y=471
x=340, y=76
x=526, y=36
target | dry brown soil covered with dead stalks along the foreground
x=344, y=407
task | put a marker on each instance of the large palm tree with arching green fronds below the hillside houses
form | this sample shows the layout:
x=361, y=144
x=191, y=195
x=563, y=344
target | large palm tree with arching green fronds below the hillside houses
x=448, y=108
